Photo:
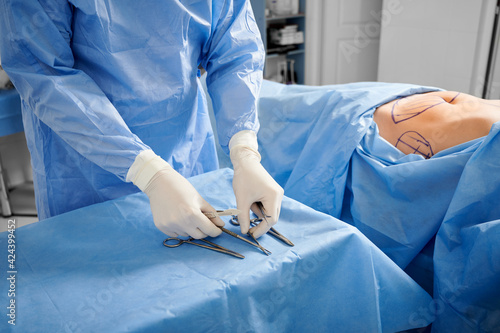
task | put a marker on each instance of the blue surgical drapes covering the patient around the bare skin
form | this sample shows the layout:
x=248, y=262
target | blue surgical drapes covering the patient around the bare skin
x=322, y=145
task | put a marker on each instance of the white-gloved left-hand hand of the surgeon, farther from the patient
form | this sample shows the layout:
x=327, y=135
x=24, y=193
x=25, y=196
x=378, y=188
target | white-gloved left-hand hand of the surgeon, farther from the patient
x=178, y=209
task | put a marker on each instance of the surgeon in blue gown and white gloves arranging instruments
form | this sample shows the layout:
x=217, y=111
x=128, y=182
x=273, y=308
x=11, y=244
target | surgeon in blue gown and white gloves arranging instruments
x=112, y=103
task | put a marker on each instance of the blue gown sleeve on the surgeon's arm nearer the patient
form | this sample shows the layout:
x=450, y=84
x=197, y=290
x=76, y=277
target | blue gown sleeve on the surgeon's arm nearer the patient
x=234, y=60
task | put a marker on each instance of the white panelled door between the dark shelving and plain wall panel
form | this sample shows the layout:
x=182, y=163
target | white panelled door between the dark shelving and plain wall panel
x=342, y=38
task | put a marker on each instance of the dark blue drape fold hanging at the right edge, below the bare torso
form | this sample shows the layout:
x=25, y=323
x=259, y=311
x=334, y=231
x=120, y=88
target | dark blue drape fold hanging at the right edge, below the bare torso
x=467, y=248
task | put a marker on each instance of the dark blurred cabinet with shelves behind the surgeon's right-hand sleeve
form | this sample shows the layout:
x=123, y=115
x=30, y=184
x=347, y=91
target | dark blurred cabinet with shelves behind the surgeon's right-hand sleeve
x=278, y=55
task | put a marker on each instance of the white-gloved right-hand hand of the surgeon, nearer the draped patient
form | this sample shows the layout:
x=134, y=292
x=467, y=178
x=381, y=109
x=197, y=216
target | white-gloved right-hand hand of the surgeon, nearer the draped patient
x=252, y=183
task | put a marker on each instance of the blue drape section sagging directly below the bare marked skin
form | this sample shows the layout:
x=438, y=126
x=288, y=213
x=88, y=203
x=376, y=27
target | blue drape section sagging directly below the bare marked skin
x=400, y=200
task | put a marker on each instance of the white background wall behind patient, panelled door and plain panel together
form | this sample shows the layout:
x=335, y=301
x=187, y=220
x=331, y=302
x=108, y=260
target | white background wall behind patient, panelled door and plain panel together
x=442, y=43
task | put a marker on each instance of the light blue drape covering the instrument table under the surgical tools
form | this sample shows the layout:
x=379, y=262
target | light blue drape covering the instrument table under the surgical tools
x=103, y=268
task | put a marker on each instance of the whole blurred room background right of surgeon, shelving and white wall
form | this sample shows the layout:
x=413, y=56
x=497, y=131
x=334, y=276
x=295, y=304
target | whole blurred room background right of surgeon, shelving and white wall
x=451, y=44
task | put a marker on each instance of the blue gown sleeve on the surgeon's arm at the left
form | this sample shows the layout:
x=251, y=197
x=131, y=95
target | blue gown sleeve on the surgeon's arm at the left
x=35, y=44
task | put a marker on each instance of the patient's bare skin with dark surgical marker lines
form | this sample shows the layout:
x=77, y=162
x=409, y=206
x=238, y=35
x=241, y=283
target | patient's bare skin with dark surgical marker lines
x=426, y=124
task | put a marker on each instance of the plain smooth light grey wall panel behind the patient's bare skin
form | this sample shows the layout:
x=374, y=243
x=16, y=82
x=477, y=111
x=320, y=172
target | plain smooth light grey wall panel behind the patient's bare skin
x=441, y=43
